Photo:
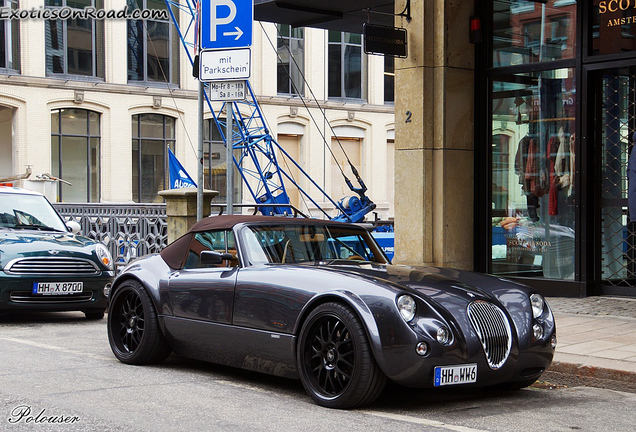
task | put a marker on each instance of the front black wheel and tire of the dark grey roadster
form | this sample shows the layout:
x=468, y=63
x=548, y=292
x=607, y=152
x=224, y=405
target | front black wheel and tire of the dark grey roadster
x=335, y=362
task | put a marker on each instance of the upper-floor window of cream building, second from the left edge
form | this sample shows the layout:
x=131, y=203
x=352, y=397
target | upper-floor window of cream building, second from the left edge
x=75, y=46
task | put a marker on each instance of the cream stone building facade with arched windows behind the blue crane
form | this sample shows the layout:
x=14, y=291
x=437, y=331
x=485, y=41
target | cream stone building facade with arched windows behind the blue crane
x=98, y=103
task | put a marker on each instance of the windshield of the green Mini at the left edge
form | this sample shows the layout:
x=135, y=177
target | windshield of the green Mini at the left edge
x=28, y=211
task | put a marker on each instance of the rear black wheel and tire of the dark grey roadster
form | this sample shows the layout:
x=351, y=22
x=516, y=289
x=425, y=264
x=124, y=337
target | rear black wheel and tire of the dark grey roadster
x=133, y=329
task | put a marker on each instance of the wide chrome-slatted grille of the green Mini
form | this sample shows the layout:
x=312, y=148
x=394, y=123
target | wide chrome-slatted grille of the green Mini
x=52, y=267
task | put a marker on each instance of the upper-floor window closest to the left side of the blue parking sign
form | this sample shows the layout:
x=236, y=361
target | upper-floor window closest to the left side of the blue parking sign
x=153, y=46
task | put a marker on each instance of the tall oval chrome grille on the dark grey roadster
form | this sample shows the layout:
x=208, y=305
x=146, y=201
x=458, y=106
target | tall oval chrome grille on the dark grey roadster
x=494, y=332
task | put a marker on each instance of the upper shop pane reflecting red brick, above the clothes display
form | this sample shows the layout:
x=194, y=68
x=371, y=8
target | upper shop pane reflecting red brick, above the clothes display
x=531, y=32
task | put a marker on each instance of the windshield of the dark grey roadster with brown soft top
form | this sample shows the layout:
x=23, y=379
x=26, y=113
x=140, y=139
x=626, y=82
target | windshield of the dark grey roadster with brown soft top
x=302, y=243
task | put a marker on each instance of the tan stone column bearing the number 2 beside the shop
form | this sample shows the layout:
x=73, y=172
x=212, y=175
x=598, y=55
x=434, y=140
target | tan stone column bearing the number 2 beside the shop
x=434, y=190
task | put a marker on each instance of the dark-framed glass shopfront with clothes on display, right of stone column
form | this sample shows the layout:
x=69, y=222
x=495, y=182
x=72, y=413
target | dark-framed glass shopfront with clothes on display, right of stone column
x=556, y=141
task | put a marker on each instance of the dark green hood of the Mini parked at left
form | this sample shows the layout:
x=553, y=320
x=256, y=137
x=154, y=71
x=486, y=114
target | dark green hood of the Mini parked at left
x=28, y=243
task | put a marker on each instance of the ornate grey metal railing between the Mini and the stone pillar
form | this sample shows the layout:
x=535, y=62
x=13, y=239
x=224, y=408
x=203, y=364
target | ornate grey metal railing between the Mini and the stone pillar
x=127, y=230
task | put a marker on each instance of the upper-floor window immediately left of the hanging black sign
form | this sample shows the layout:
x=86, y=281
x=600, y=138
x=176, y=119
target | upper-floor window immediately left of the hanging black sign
x=346, y=69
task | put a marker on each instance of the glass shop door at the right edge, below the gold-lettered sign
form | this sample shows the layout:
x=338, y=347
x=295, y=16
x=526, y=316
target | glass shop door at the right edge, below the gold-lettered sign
x=616, y=133
